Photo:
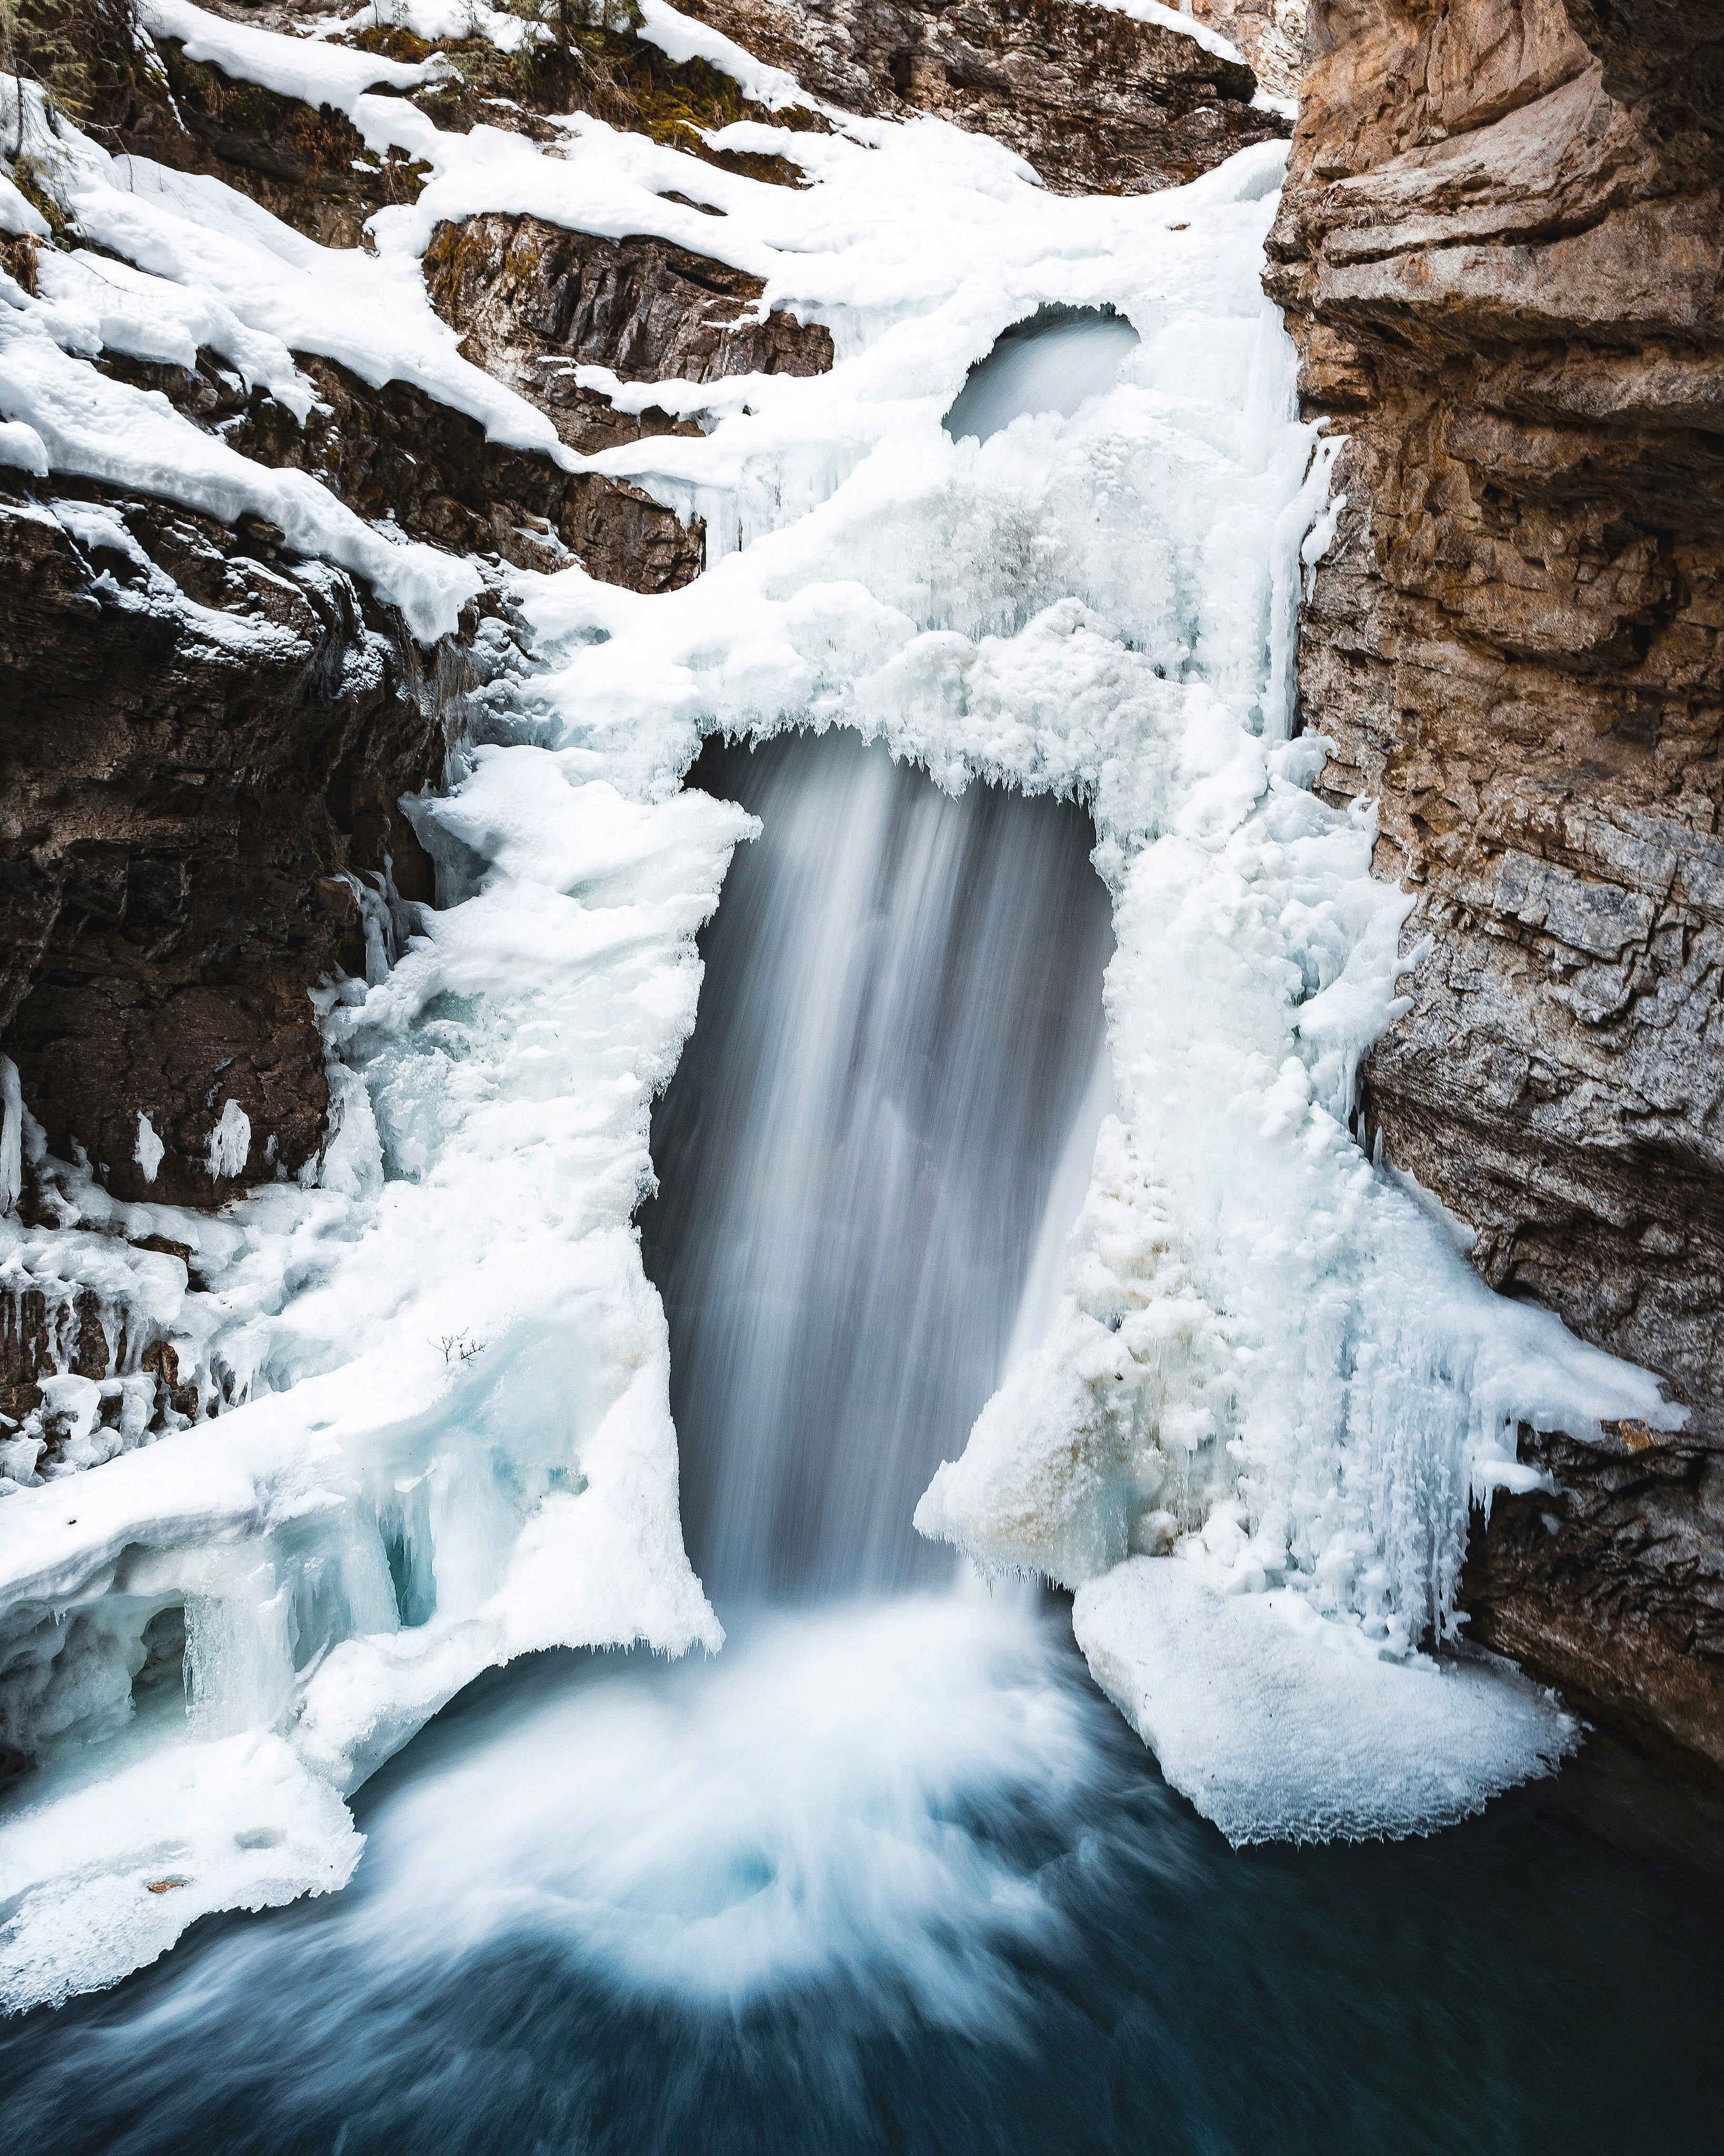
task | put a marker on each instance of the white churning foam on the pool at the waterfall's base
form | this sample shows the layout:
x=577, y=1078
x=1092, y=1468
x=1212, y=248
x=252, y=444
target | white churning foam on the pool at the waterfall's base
x=798, y=1814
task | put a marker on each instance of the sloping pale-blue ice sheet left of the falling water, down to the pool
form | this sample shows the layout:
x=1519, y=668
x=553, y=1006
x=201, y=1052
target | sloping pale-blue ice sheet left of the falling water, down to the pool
x=458, y=1443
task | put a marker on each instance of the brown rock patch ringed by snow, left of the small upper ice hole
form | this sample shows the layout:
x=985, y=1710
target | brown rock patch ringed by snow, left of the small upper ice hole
x=536, y=301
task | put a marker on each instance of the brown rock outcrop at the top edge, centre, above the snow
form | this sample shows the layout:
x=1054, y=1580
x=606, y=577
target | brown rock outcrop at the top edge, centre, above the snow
x=1094, y=100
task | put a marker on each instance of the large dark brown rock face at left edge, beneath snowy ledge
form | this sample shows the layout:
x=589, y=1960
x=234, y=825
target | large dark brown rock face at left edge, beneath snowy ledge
x=206, y=749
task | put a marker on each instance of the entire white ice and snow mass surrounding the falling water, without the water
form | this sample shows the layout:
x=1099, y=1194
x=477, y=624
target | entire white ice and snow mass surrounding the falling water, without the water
x=445, y=1433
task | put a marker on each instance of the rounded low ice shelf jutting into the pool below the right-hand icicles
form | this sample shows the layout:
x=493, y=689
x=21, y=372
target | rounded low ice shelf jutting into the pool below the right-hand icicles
x=1285, y=1728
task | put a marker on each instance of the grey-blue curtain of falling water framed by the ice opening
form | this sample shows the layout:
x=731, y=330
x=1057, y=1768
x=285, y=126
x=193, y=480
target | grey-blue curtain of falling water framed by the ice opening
x=902, y=1023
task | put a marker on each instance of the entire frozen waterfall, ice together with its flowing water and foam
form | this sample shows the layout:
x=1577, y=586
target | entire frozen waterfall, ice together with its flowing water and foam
x=1038, y=540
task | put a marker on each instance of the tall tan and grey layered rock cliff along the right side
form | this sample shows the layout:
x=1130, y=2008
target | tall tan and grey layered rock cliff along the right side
x=1501, y=253
